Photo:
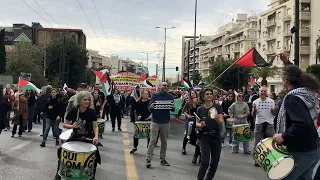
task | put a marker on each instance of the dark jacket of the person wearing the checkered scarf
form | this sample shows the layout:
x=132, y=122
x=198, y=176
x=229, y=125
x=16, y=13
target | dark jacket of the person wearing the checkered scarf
x=301, y=134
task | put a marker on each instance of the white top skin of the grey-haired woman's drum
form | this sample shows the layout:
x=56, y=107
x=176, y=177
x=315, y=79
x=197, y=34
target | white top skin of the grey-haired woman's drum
x=79, y=147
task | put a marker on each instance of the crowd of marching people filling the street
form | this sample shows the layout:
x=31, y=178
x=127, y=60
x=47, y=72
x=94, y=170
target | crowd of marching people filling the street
x=289, y=118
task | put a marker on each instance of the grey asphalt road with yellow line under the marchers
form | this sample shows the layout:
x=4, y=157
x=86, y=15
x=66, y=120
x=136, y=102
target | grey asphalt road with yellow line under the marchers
x=23, y=158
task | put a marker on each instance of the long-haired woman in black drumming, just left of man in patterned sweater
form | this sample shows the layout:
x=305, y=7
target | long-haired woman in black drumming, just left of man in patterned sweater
x=143, y=114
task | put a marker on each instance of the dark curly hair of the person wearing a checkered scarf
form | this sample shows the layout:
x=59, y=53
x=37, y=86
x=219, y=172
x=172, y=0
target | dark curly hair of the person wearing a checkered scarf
x=295, y=77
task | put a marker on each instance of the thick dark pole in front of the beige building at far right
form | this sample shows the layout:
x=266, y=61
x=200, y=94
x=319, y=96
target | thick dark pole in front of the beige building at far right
x=297, y=34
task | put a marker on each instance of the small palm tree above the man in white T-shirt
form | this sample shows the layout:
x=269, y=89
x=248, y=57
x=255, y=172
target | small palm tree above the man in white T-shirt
x=264, y=73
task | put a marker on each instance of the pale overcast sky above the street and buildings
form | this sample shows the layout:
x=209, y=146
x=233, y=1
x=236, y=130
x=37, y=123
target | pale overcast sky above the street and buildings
x=129, y=24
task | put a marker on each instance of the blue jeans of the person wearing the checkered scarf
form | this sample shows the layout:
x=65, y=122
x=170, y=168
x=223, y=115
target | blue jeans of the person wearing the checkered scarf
x=305, y=164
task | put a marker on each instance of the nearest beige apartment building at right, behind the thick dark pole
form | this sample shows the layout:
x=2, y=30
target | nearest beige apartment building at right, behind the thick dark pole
x=274, y=34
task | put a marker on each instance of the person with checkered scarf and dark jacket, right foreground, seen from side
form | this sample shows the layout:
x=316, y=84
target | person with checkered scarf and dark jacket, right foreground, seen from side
x=296, y=123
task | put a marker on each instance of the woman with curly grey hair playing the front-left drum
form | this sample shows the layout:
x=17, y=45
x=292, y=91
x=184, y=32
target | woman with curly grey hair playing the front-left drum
x=82, y=119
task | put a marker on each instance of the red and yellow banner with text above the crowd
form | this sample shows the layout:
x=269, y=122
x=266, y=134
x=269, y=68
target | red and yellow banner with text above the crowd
x=128, y=81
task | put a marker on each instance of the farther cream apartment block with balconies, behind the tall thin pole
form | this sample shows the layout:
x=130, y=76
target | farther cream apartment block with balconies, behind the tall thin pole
x=230, y=42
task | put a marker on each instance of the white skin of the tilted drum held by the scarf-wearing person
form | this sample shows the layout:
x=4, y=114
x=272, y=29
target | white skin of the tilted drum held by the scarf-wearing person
x=281, y=168
